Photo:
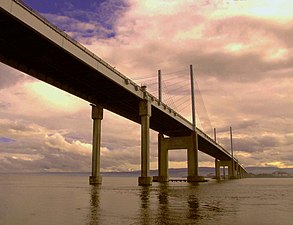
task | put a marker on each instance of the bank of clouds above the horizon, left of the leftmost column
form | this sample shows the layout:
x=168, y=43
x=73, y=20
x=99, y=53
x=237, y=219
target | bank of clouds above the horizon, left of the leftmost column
x=36, y=148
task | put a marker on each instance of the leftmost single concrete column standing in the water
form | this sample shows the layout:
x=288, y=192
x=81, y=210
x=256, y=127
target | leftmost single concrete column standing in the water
x=97, y=116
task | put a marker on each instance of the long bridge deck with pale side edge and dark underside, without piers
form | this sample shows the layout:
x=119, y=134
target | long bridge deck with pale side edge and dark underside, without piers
x=31, y=44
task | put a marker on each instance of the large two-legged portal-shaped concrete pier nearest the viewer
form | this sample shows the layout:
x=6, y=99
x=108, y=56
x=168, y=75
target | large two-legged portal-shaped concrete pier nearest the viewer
x=171, y=143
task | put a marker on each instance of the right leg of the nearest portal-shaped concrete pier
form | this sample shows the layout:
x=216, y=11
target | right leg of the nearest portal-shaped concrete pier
x=192, y=160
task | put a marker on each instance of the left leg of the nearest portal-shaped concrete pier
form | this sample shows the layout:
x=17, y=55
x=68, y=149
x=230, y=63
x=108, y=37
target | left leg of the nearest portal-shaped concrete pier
x=162, y=159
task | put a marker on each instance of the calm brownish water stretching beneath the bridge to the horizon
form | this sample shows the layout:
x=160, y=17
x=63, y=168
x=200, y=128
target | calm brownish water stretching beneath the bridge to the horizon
x=68, y=199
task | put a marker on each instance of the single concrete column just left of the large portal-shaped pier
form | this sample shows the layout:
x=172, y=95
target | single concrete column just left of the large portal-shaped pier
x=145, y=114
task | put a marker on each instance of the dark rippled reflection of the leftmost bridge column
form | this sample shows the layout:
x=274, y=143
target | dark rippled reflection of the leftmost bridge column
x=95, y=208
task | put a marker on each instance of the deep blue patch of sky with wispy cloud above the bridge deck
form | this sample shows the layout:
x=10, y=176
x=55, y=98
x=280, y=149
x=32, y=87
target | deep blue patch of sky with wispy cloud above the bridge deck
x=83, y=20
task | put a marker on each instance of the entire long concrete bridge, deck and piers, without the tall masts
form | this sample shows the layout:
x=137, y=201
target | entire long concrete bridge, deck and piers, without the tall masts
x=29, y=43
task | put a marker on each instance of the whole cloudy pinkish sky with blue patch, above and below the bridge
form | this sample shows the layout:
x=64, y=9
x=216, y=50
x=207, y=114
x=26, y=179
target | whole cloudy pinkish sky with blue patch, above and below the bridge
x=241, y=52
